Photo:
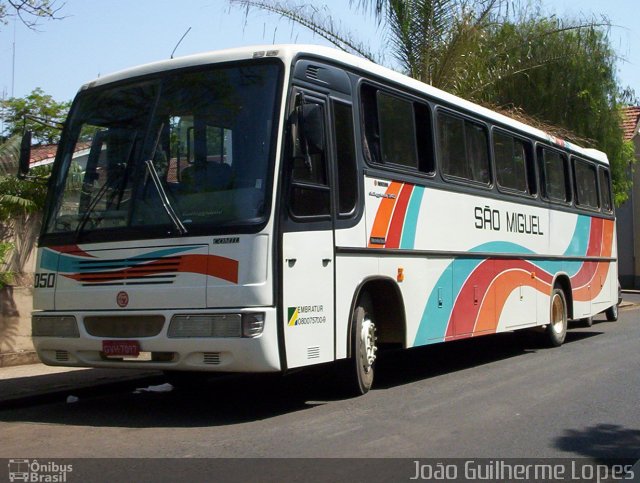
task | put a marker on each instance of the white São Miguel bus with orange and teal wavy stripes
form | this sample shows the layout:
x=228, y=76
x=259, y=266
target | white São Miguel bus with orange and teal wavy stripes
x=269, y=208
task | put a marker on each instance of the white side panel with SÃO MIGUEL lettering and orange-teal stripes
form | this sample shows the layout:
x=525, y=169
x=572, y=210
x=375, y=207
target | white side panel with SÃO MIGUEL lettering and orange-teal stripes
x=488, y=294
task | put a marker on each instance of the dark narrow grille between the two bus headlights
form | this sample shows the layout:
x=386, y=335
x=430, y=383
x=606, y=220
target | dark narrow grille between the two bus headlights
x=123, y=327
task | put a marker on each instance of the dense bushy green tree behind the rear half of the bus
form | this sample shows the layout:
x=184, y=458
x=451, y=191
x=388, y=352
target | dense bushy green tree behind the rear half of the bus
x=561, y=72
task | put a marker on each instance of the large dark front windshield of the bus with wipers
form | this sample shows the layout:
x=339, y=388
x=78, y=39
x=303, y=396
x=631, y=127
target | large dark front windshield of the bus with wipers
x=177, y=153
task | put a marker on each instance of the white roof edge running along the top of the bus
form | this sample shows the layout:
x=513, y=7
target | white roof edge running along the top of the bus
x=288, y=52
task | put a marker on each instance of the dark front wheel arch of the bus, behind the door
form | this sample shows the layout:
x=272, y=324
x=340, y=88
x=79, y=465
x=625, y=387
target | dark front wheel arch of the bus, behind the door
x=388, y=309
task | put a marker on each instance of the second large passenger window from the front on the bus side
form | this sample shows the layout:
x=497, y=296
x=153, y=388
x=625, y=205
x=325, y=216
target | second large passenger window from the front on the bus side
x=463, y=149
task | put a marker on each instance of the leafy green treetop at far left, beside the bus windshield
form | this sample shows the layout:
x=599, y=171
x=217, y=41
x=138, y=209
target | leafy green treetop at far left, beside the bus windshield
x=37, y=112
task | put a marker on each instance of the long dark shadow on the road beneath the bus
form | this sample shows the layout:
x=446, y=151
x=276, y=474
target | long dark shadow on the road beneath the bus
x=237, y=399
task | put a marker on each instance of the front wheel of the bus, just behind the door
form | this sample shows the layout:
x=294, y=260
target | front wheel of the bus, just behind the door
x=359, y=369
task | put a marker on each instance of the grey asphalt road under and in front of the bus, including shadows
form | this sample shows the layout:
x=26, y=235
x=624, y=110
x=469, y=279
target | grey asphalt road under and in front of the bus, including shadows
x=496, y=397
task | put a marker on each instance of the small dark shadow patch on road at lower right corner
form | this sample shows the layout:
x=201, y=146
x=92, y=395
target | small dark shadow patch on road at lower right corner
x=602, y=442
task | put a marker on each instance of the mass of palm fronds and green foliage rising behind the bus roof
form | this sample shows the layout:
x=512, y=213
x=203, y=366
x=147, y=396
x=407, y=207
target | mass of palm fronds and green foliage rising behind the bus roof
x=555, y=74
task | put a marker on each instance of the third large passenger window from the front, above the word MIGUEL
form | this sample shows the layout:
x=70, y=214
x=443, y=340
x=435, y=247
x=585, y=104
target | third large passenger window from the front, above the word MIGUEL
x=511, y=156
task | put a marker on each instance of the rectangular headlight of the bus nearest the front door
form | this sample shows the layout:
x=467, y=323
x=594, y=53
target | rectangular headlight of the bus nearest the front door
x=216, y=325
